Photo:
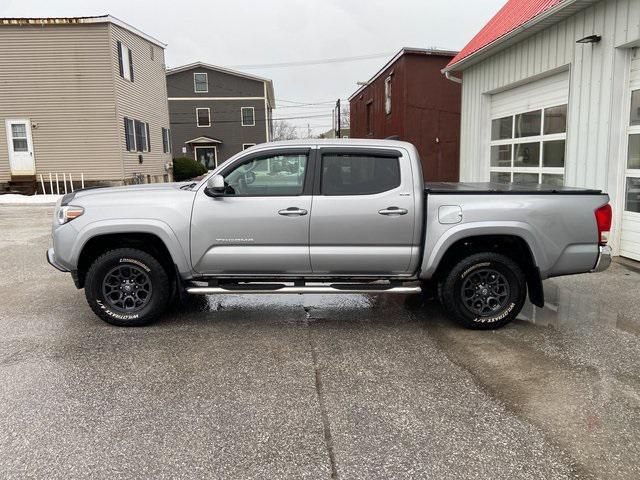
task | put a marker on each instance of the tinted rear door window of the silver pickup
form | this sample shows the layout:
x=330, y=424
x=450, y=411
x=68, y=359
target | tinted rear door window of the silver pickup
x=358, y=174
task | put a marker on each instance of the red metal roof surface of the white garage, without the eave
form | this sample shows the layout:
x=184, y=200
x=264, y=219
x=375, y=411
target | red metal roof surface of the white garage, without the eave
x=514, y=14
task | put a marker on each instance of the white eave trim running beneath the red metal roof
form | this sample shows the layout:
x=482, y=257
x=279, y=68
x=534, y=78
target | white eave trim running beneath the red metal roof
x=523, y=30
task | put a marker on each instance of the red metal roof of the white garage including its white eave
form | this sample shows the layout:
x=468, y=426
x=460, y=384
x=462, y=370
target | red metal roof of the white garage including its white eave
x=514, y=17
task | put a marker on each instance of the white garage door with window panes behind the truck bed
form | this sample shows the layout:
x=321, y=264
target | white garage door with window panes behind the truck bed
x=529, y=132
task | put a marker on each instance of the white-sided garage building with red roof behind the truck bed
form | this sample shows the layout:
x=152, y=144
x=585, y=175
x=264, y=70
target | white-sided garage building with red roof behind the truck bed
x=551, y=94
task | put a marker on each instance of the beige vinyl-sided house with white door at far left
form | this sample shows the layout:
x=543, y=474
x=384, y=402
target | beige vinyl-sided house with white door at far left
x=61, y=84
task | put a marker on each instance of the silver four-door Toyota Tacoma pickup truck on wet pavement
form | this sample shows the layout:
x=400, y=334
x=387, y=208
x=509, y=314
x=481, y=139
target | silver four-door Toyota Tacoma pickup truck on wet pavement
x=327, y=216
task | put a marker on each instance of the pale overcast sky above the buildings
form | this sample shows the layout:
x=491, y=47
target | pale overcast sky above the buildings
x=249, y=32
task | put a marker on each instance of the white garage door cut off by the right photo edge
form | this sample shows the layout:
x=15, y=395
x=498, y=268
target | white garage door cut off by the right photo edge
x=630, y=231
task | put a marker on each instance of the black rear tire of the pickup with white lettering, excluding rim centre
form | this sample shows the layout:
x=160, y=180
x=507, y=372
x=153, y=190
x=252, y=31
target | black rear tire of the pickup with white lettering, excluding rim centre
x=451, y=291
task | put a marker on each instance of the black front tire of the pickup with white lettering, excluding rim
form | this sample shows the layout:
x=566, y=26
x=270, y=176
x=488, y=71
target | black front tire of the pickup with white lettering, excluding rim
x=157, y=275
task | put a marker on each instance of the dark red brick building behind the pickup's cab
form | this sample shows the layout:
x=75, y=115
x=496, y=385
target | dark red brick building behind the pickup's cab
x=411, y=98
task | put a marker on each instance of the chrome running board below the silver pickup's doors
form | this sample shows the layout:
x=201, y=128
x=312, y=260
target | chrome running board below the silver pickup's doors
x=303, y=289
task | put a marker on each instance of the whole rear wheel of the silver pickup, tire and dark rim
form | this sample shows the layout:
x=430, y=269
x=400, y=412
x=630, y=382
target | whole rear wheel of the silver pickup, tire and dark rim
x=484, y=291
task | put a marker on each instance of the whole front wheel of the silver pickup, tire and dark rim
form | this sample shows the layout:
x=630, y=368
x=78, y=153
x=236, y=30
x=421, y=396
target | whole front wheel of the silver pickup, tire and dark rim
x=127, y=287
